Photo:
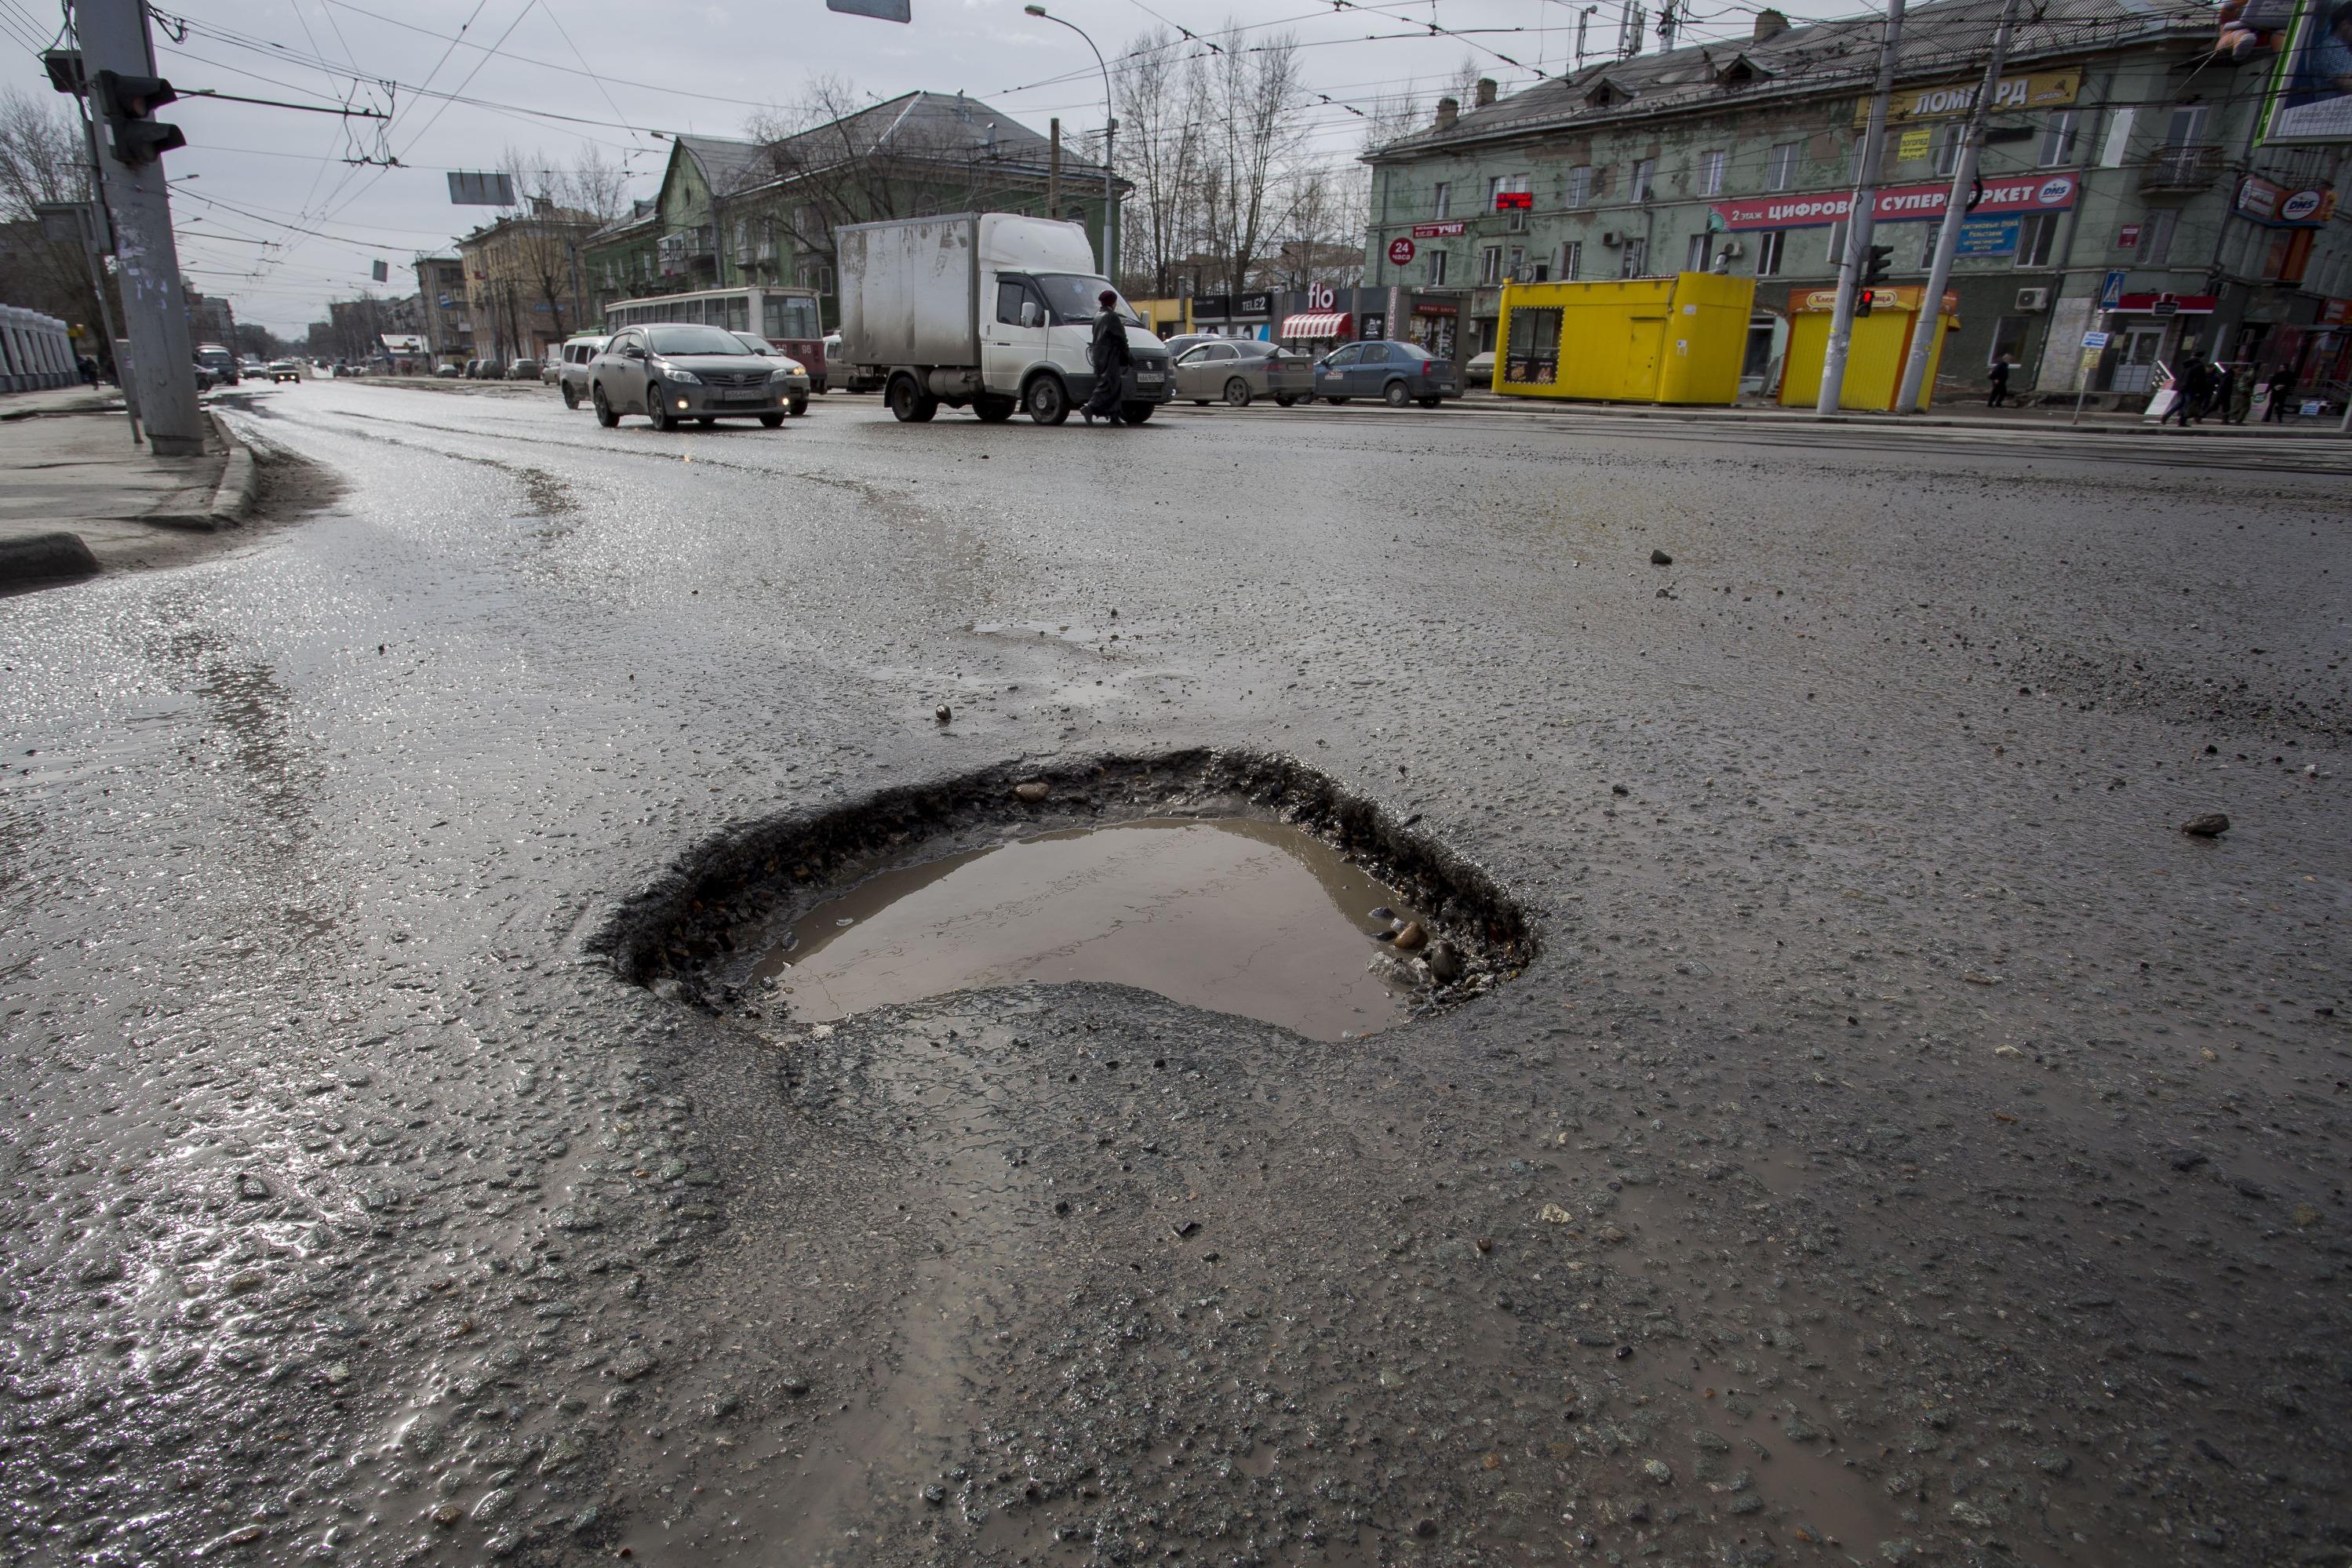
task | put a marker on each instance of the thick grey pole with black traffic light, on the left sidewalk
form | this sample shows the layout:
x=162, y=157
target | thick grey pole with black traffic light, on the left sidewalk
x=121, y=72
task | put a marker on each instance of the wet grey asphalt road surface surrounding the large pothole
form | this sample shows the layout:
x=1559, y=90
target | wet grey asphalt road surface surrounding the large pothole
x=1906, y=1148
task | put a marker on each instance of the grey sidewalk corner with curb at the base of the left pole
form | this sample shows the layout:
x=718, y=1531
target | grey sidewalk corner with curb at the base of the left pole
x=79, y=497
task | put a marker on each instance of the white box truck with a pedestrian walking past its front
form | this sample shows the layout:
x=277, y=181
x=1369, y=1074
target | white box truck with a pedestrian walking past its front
x=989, y=311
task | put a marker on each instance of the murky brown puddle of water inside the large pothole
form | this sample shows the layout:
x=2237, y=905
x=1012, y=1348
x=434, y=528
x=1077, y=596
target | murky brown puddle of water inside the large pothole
x=1227, y=913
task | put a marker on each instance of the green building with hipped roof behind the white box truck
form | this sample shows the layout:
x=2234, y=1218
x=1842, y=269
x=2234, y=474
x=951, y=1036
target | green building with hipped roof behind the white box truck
x=763, y=213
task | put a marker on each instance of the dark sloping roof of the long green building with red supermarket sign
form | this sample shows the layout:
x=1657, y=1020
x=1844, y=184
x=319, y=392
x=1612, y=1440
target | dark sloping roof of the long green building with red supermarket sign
x=1946, y=36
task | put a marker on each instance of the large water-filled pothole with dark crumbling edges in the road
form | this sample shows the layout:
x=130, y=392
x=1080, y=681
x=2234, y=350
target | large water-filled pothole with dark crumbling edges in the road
x=1222, y=880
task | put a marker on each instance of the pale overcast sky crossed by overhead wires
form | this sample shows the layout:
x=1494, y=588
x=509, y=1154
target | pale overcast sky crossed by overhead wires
x=255, y=177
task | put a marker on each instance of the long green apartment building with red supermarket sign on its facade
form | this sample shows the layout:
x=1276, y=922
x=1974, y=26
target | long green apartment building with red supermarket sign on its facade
x=2123, y=189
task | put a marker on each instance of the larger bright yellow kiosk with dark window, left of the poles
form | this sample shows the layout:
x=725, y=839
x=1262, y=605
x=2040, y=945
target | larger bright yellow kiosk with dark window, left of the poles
x=1641, y=340
